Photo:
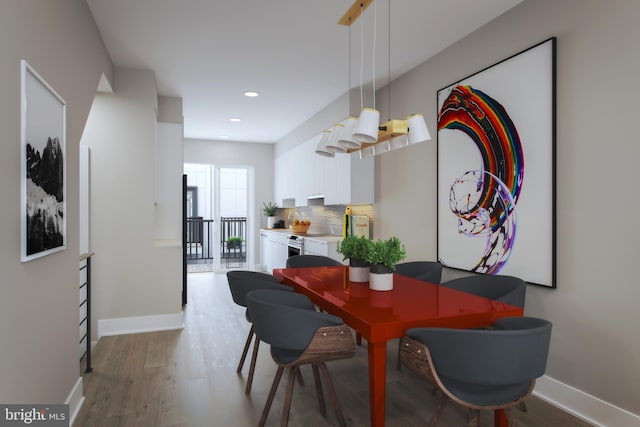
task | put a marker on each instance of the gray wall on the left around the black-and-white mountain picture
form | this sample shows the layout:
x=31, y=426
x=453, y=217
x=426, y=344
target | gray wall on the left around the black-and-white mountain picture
x=39, y=303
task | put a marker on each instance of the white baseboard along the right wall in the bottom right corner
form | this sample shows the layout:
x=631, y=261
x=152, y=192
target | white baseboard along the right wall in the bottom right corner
x=582, y=405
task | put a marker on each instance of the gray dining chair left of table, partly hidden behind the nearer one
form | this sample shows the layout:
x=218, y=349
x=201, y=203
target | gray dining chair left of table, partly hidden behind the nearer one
x=242, y=282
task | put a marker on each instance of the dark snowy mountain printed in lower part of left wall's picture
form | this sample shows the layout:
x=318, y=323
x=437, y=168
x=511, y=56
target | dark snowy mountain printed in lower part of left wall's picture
x=45, y=197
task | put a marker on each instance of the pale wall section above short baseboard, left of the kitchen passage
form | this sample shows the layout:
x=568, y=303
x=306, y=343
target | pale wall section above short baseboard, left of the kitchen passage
x=133, y=276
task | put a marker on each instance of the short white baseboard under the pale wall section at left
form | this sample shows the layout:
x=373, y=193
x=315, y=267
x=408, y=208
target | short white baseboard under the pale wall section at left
x=134, y=325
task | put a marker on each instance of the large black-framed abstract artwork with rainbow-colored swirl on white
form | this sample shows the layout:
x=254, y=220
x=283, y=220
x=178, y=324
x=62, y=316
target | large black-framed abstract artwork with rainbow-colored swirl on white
x=496, y=168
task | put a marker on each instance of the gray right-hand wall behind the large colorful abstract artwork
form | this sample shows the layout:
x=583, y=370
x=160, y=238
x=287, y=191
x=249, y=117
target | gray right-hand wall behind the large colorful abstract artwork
x=595, y=345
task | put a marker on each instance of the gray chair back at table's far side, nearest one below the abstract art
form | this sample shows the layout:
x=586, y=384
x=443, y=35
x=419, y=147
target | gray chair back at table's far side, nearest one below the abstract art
x=507, y=289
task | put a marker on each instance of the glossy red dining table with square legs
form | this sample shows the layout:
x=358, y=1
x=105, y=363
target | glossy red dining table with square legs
x=379, y=316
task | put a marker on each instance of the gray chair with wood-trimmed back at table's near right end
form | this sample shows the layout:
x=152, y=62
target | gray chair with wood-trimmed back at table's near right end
x=481, y=369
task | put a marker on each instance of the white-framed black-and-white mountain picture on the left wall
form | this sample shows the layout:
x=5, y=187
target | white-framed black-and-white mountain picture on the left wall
x=43, y=178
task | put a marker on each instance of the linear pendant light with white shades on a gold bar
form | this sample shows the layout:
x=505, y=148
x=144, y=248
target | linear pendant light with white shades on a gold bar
x=365, y=133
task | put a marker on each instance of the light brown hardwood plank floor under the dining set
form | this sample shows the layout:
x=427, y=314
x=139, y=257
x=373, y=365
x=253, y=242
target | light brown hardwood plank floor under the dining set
x=188, y=378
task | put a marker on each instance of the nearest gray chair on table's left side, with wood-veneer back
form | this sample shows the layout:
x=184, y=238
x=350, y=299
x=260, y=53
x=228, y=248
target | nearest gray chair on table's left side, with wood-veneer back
x=299, y=335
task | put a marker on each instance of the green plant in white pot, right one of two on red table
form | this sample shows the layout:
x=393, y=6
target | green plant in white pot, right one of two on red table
x=383, y=255
